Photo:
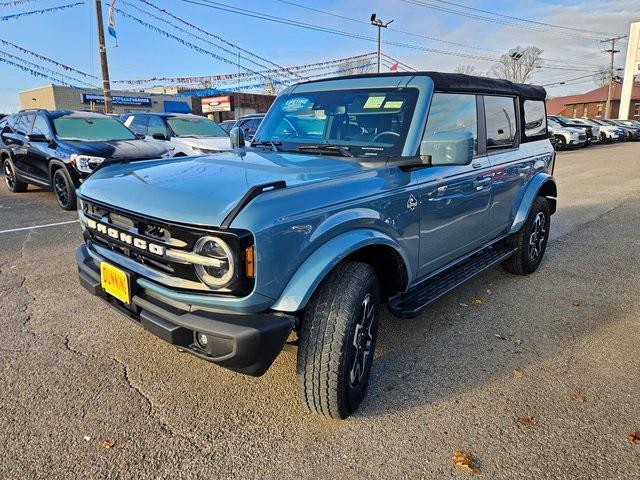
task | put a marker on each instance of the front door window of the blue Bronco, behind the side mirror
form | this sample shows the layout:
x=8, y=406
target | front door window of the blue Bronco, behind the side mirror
x=453, y=113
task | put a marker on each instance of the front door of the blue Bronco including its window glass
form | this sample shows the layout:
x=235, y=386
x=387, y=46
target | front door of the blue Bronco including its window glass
x=454, y=199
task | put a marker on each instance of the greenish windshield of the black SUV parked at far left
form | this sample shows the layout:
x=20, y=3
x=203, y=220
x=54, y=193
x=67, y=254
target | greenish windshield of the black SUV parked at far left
x=91, y=129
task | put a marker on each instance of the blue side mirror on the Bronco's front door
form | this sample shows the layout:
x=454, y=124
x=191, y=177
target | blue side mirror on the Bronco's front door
x=447, y=148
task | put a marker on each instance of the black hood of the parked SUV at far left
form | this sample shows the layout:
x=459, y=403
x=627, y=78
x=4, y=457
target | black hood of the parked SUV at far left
x=116, y=150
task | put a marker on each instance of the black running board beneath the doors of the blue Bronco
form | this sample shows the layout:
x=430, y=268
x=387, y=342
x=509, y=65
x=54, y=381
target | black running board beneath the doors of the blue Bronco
x=413, y=302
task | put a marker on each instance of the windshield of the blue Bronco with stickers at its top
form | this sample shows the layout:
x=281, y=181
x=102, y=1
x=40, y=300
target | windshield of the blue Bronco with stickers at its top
x=366, y=122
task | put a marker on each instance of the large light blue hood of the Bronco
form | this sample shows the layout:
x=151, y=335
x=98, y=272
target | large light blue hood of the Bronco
x=203, y=190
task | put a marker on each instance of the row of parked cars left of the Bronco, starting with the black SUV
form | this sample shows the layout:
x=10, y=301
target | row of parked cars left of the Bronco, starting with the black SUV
x=59, y=149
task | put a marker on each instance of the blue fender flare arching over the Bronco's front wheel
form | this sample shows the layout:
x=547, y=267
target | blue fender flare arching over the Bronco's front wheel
x=316, y=267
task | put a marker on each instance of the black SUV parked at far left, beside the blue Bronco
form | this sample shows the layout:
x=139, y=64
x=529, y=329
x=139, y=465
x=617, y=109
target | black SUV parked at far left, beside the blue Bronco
x=59, y=149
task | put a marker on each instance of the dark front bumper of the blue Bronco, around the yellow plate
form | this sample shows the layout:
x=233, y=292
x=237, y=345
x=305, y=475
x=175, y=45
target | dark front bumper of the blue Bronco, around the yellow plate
x=245, y=343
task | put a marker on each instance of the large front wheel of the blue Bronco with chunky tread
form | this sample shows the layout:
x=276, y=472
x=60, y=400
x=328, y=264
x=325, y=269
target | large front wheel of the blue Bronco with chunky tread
x=337, y=341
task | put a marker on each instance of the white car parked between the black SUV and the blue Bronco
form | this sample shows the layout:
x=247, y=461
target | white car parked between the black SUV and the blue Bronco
x=186, y=134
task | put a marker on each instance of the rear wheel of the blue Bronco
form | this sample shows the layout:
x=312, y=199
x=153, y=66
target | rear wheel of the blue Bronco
x=531, y=241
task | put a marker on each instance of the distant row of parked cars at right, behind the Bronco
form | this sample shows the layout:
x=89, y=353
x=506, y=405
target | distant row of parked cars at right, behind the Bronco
x=581, y=132
